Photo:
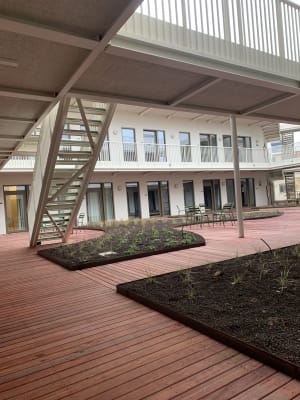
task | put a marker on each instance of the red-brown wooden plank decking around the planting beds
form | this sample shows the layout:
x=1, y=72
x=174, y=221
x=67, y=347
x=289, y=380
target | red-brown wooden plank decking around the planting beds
x=68, y=335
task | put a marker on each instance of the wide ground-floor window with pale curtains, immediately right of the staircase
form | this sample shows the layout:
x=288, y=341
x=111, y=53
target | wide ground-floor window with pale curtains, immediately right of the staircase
x=100, y=205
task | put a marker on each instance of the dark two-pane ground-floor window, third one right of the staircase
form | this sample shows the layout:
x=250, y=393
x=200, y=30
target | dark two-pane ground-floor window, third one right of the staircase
x=158, y=198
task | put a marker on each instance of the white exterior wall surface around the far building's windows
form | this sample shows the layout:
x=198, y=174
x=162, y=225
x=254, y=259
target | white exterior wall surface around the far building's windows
x=174, y=175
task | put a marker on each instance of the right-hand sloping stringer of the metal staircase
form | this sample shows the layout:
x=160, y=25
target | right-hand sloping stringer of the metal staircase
x=90, y=168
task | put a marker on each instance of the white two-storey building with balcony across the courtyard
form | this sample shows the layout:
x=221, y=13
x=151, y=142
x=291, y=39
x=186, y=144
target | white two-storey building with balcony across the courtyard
x=154, y=163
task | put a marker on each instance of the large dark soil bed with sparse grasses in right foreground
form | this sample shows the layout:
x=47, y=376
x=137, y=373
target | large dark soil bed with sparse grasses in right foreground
x=255, y=299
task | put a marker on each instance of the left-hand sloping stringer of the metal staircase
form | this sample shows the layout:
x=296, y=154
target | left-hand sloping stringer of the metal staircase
x=53, y=150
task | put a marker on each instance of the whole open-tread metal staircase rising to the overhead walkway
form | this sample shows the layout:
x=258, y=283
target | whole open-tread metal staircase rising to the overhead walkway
x=71, y=139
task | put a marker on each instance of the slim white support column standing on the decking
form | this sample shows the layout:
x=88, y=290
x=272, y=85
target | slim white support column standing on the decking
x=237, y=179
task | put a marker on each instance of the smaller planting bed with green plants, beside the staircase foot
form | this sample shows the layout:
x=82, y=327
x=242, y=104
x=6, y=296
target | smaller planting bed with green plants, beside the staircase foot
x=122, y=242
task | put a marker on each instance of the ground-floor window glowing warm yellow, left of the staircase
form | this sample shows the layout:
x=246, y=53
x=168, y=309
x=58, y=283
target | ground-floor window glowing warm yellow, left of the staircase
x=15, y=200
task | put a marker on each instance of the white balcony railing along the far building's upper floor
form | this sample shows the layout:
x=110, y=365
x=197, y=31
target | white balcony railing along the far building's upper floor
x=128, y=156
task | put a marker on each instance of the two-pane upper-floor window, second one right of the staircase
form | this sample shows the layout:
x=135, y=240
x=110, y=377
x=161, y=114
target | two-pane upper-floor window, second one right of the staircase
x=154, y=145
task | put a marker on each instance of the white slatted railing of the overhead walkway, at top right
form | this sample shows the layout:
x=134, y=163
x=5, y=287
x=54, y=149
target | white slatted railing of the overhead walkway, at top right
x=263, y=34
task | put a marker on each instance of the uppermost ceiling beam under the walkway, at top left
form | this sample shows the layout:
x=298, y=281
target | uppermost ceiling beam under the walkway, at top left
x=46, y=33
